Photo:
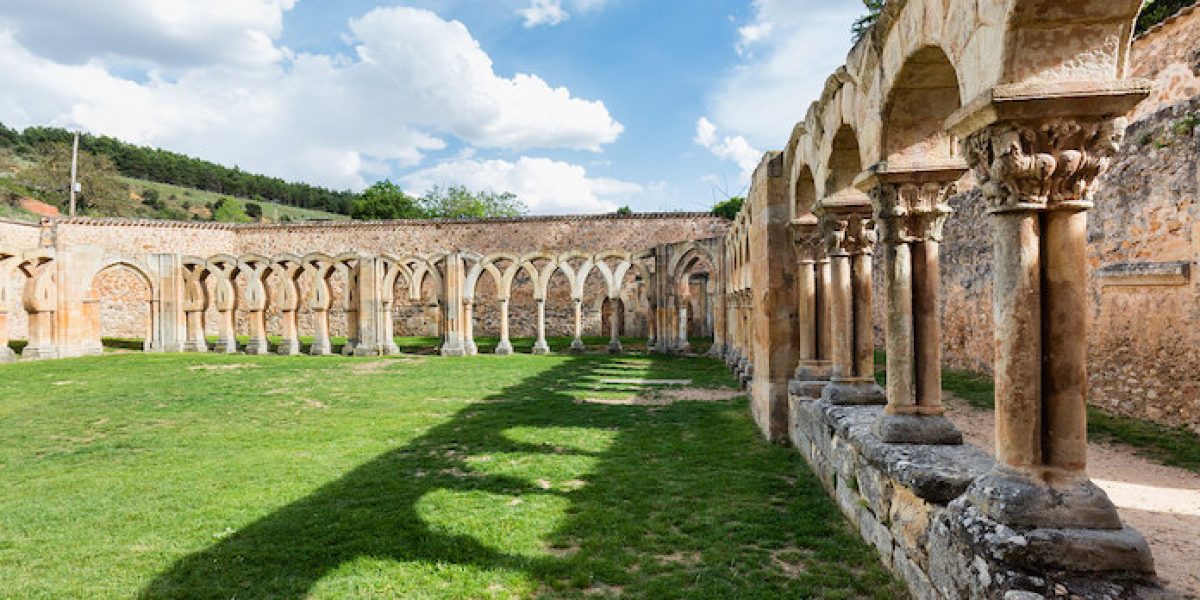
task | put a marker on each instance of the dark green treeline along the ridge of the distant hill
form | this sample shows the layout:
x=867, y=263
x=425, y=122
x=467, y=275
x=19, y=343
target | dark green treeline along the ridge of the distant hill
x=164, y=167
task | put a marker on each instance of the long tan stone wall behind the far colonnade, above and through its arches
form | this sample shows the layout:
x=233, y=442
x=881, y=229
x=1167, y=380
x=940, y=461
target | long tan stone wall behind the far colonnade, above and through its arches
x=123, y=314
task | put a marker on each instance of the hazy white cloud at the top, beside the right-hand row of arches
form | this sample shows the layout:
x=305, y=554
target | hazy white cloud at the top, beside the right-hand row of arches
x=788, y=56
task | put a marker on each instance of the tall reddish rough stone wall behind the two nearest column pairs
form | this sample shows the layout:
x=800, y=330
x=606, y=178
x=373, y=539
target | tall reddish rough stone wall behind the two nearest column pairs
x=1144, y=238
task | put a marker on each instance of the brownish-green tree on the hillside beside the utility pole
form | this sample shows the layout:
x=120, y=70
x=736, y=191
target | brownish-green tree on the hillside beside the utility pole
x=103, y=193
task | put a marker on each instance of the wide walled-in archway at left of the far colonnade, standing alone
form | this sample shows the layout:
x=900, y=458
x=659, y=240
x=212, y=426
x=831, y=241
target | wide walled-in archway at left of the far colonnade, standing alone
x=119, y=310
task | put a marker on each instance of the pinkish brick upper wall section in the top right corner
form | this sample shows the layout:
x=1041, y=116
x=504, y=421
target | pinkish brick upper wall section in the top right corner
x=1169, y=55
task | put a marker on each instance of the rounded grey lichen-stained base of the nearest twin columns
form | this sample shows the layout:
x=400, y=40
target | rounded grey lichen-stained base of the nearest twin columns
x=1018, y=500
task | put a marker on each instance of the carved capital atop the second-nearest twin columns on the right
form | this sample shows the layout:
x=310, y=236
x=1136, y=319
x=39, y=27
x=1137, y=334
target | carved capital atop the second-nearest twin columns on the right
x=913, y=212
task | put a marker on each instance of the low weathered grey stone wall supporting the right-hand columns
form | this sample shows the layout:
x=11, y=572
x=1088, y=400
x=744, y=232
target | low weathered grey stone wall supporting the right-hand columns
x=908, y=502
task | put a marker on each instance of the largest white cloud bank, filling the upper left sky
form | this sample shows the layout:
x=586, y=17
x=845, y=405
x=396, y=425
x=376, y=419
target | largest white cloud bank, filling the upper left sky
x=415, y=79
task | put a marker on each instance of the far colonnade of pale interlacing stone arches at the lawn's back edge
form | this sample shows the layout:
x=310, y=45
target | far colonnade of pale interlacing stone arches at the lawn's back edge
x=185, y=292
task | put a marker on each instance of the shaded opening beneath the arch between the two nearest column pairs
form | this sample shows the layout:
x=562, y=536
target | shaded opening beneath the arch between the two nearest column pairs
x=925, y=94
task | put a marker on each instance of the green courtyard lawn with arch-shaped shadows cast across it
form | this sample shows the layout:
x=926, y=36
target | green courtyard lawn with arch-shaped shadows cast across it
x=417, y=477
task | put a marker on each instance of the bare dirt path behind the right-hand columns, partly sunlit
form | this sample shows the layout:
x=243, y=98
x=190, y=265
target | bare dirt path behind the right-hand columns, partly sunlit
x=1161, y=502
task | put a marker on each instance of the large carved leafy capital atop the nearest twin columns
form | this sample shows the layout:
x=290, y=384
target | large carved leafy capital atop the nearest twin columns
x=1052, y=164
